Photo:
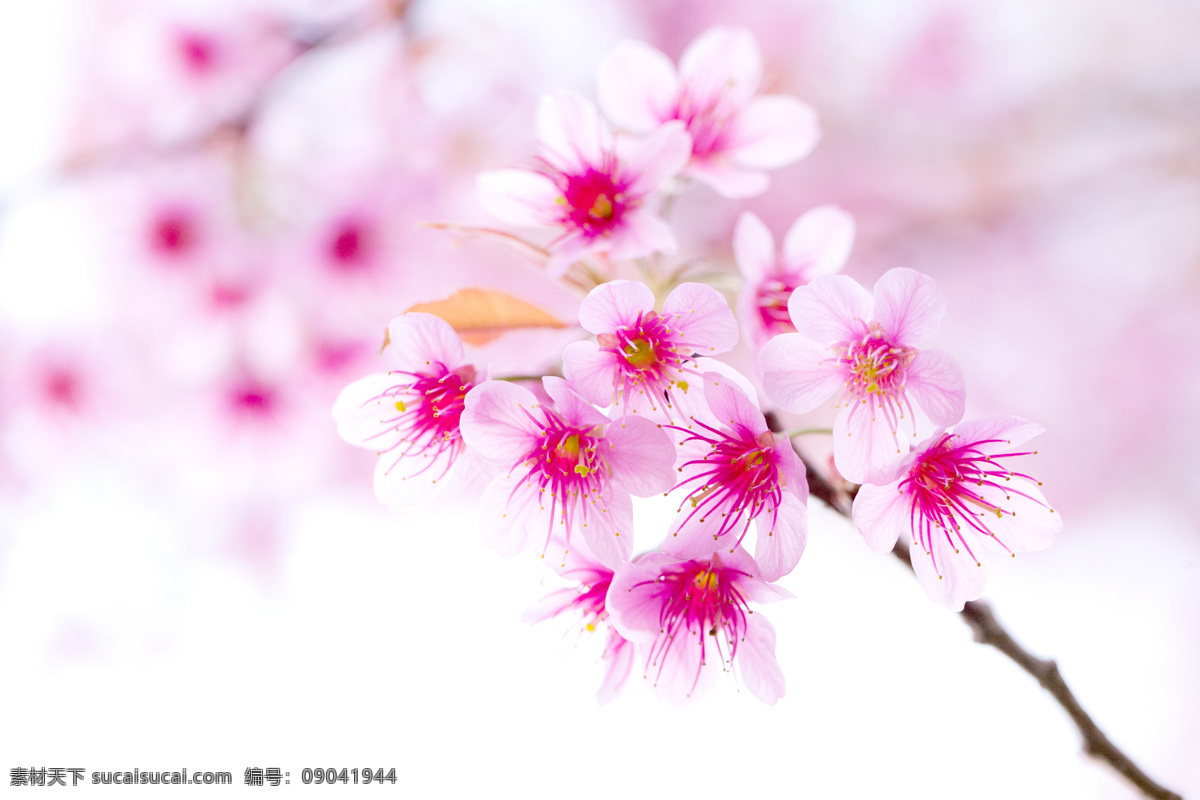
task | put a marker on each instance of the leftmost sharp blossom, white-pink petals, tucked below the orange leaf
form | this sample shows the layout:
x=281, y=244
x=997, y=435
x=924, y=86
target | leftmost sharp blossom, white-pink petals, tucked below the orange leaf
x=411, y=416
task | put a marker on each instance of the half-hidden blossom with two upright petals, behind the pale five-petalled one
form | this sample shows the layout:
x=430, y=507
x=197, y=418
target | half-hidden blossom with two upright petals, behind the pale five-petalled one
x=817, y=244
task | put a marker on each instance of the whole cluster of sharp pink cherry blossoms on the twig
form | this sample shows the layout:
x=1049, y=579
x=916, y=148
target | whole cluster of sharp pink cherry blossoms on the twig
x=644, y=408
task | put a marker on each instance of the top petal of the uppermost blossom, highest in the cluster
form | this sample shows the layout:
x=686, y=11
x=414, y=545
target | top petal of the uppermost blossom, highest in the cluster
x=722, y=62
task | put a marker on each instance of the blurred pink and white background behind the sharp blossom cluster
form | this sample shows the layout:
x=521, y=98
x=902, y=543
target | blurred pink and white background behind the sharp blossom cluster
x=211, y=210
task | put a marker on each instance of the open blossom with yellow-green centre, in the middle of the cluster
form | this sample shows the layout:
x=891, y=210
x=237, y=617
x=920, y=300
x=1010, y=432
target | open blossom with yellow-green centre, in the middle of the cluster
x=641, y=358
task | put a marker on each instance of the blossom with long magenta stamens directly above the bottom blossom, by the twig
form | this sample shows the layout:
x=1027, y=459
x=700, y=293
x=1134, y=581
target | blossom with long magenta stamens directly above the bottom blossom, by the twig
x=737, y=472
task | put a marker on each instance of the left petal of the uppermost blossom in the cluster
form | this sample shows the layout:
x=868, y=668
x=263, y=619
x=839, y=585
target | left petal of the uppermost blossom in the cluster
x=638, y=87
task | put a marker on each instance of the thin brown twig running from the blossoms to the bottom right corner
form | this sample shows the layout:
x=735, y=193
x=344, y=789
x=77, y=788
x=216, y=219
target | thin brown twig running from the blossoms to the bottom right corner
x=988, y=630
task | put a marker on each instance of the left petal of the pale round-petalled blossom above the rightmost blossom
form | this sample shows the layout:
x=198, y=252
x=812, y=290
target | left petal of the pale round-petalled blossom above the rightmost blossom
x=797, y=374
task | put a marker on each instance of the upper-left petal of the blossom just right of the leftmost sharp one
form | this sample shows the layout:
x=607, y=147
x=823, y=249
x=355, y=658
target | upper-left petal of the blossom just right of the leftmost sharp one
x=494, y=424
